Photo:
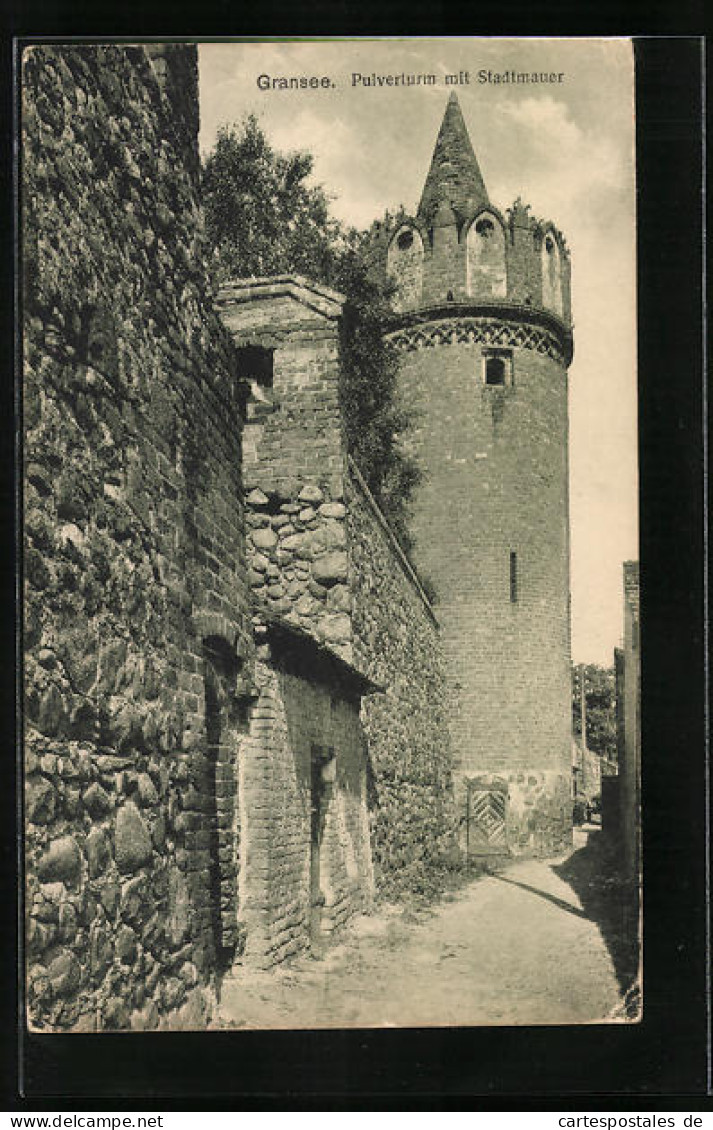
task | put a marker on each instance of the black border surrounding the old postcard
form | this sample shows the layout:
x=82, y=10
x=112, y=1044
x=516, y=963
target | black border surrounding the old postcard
x=630, y=1066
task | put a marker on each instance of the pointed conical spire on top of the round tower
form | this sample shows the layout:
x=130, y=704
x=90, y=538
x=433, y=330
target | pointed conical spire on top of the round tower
x=455, y=175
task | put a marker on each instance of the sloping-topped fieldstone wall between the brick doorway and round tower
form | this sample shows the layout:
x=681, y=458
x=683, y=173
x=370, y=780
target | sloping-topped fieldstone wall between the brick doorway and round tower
x=398, y=644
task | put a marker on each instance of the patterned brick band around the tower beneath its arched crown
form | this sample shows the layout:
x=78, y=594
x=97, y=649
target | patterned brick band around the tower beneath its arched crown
x=477, y=332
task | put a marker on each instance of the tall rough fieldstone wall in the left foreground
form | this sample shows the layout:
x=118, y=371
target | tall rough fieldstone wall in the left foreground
x=135, y=546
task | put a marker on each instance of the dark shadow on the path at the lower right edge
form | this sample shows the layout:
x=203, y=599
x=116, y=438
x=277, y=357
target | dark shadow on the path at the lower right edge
x=595, y=875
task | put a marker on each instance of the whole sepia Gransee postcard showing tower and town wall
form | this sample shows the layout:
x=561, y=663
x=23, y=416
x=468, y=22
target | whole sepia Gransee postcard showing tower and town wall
x=332, y=609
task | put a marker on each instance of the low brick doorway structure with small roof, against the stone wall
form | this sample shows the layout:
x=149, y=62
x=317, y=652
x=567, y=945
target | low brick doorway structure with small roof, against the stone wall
x=293, y=714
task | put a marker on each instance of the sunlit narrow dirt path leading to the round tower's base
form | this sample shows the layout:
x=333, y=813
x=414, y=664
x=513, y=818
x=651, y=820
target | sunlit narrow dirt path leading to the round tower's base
x=509, y=949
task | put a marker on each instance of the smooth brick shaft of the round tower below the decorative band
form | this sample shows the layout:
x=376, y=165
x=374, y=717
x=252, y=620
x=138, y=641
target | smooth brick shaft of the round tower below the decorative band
x=497, y=464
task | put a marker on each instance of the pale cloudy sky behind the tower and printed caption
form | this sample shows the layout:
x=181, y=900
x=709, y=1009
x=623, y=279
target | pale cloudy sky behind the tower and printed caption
x=567, y=149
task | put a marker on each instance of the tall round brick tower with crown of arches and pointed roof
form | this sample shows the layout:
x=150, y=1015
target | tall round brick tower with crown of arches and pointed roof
x=483, y=328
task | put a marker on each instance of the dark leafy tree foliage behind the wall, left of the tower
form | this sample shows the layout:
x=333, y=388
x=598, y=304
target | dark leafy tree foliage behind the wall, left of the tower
x=264, y=218
